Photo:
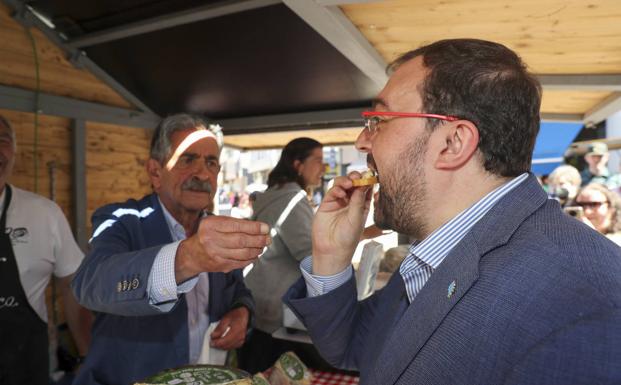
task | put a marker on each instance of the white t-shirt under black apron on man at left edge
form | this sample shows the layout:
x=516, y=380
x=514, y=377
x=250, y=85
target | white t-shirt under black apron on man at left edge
x=42, y=243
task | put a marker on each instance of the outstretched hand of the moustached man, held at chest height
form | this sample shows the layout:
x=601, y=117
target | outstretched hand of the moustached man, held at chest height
x=221, y=244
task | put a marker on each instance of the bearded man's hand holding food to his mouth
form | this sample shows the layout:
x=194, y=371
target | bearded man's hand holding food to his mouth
x=338, y=224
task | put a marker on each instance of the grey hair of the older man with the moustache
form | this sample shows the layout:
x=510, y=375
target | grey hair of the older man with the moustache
x=161, y=142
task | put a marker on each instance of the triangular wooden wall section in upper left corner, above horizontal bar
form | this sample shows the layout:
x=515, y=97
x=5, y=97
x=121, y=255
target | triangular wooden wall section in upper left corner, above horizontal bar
x=57, y=75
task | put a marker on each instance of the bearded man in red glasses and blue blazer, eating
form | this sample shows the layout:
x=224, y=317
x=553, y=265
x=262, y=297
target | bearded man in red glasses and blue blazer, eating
x=501, y=287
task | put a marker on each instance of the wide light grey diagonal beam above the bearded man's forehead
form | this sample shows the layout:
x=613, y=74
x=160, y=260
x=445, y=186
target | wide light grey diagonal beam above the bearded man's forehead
x=338, y=30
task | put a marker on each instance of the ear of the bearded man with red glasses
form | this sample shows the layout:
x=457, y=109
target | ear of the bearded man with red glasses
x=461, y=140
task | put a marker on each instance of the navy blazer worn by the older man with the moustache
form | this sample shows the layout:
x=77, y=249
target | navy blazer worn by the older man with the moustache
x=132, y=340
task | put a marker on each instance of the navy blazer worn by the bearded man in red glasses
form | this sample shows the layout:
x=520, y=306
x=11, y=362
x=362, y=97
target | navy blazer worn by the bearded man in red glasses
x=536, y=300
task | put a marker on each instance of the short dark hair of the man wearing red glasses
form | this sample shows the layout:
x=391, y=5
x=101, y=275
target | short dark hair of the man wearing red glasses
x=488, y=84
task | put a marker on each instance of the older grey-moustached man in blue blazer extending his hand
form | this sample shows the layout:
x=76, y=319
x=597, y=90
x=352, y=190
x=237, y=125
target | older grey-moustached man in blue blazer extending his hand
x=160, y=270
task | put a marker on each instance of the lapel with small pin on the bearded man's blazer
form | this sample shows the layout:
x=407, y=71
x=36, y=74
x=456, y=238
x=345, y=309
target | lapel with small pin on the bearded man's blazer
x=453, y=278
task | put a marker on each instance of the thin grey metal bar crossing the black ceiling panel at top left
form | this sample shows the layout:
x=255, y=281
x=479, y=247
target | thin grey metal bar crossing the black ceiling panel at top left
x=168, y=21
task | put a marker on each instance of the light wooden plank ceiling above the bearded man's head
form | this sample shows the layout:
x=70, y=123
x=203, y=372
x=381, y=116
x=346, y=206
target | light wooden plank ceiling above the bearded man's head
x=552, y=36
